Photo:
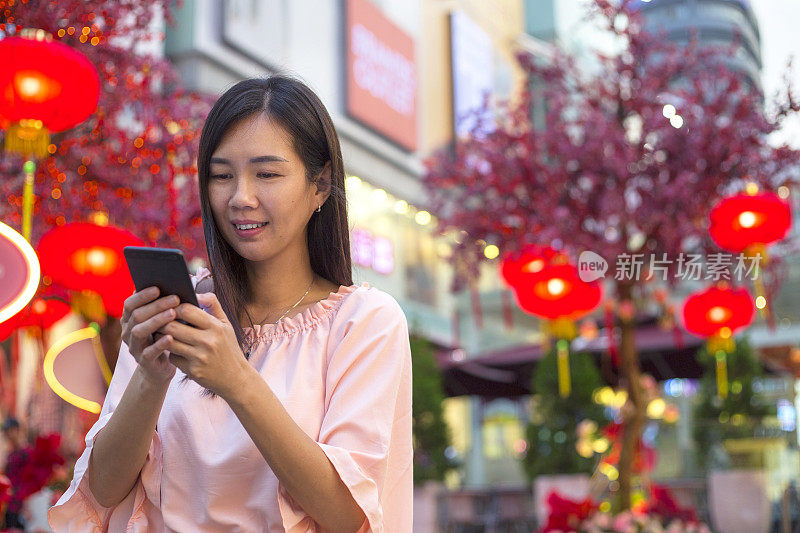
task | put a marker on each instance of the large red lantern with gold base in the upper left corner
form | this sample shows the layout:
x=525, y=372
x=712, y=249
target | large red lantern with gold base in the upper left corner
x=45, y=86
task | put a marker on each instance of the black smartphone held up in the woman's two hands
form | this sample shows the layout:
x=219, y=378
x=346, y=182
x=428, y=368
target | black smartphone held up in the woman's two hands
x=164, y=268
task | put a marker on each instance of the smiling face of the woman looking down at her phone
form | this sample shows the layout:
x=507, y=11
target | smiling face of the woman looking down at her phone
x=259, y=193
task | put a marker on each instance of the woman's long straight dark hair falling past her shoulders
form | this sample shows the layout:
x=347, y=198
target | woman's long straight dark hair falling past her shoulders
x=300, y=112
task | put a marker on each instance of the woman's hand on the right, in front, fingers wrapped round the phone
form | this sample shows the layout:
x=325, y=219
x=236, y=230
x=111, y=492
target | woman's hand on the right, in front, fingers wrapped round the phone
x=207, y=351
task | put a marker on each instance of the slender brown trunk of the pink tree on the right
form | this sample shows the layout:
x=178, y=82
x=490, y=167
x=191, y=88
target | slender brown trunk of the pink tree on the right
x=633, y=417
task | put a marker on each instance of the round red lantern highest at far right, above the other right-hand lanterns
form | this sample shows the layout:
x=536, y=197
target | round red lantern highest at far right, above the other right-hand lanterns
x=746, y=220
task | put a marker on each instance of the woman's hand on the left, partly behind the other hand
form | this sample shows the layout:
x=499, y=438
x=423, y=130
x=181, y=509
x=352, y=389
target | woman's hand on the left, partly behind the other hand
x=143, y=314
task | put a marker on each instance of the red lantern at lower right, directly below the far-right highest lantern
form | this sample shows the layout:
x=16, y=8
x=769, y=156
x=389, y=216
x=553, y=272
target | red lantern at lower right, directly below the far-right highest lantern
x=709, y=312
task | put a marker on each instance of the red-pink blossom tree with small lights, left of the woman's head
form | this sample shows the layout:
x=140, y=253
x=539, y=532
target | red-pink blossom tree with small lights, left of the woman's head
x=134, y=159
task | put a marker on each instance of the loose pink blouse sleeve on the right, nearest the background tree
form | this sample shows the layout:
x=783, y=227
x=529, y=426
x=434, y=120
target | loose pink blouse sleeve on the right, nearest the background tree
x=366, y=429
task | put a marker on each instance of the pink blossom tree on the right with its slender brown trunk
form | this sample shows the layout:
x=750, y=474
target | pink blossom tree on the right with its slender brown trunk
x=627, y=159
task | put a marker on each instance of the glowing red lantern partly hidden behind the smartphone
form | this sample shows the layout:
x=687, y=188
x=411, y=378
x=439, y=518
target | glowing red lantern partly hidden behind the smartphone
x=82, y=256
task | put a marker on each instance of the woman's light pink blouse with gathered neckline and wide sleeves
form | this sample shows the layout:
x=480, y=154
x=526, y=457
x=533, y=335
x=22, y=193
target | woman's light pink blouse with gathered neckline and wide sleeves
x=341, y=368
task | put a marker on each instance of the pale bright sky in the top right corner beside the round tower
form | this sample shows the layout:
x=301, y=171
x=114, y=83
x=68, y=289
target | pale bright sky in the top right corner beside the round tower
x=778, y=20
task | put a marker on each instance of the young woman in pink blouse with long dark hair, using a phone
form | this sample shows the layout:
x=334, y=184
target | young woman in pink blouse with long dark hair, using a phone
x=284, y=405
